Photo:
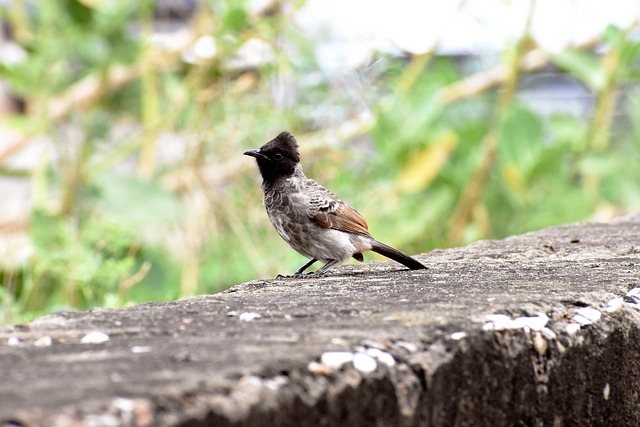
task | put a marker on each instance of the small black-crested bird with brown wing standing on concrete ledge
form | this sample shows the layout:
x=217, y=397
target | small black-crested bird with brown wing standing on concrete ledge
x=310, y=218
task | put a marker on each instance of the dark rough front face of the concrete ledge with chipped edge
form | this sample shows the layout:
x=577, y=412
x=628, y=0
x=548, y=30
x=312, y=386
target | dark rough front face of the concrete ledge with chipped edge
x=422, y=383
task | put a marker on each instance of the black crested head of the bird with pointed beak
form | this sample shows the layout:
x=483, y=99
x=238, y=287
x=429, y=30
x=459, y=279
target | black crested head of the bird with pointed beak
x=277, y=158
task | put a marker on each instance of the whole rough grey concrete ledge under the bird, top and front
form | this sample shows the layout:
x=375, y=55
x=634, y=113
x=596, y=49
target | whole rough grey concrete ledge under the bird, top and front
x=541, y=329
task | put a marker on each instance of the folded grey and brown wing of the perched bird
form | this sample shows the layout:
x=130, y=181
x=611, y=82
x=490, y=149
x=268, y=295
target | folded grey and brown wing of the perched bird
x=328, y=211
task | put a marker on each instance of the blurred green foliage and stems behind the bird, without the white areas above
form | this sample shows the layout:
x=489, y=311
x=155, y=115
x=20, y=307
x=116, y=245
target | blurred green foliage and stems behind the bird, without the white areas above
x=143, y=194
